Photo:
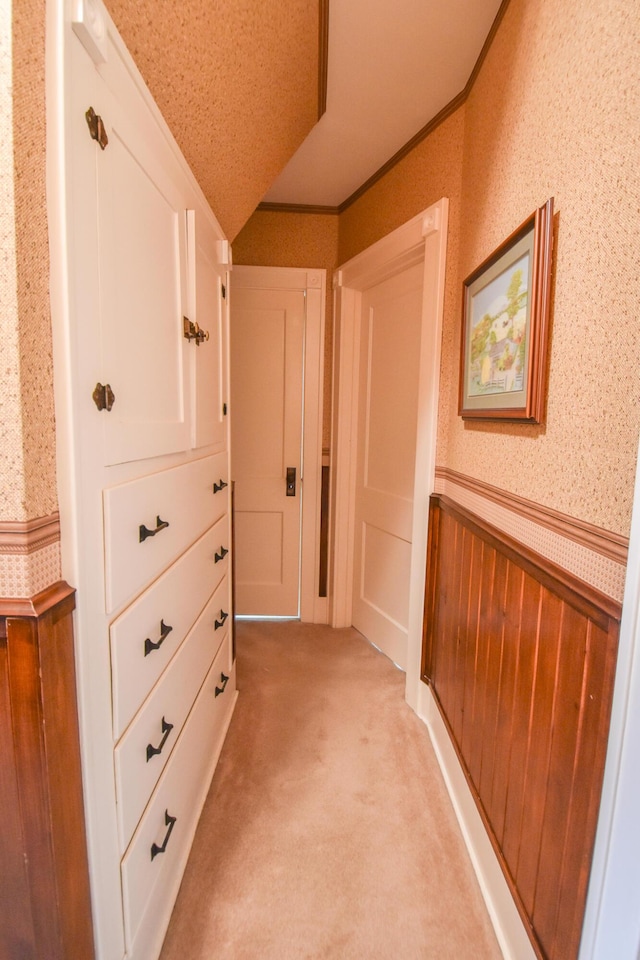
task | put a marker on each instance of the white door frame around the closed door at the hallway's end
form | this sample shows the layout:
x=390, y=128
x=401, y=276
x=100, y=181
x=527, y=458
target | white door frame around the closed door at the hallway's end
x=312, y=282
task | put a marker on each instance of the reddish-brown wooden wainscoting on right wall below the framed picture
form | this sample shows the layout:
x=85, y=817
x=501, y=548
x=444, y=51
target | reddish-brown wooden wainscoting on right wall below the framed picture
x=521, y=659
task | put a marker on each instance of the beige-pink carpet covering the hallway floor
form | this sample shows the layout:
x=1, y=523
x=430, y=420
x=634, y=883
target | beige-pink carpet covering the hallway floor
x=328, y=832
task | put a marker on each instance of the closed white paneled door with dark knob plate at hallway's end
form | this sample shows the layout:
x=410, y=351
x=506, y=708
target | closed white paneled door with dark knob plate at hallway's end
x=267, y=342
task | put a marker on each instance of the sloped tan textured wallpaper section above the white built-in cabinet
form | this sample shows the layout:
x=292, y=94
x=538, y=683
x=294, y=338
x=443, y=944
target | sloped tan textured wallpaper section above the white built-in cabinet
x=236, y=82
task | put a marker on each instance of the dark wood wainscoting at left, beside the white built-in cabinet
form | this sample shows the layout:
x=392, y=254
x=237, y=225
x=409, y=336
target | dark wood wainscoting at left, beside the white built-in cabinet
x=45, y=909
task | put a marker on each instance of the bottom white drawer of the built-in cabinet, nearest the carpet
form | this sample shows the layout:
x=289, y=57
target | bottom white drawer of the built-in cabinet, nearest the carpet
x=153, y=864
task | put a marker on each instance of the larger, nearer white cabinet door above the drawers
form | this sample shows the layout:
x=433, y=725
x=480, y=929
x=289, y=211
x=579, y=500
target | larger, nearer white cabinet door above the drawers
x=141, y=223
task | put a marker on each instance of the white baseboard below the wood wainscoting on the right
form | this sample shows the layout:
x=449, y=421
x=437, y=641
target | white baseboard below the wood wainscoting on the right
x=510, y=931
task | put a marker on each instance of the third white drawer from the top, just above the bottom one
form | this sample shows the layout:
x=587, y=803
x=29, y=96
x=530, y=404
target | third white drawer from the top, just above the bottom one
x=142, y=754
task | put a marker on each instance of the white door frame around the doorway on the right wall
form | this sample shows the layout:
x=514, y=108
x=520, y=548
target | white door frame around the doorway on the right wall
x=423, y=239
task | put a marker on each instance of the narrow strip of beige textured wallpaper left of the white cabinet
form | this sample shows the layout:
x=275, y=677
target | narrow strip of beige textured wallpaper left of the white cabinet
x=27, y=473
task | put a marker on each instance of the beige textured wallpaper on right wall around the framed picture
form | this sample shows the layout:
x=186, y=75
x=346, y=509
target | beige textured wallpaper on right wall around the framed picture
x=555, y=111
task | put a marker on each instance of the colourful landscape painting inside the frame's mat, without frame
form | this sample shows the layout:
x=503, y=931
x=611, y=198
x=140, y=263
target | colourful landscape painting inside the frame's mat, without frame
x=498, y=333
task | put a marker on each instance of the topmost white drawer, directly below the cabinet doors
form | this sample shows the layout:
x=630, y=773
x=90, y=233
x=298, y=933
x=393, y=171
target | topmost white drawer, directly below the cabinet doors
x=151, y=521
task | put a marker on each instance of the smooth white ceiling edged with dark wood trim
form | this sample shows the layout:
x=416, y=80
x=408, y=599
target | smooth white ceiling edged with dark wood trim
x=392, y=67
